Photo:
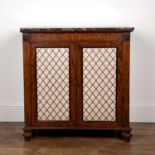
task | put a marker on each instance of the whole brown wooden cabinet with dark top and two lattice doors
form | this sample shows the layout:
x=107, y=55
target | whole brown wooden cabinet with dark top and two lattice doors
x=76, y=78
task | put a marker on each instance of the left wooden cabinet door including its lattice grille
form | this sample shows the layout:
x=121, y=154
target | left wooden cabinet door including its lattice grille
x=53, y=81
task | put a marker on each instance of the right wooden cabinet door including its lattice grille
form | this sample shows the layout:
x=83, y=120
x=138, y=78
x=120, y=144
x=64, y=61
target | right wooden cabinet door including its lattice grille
x=99, y=98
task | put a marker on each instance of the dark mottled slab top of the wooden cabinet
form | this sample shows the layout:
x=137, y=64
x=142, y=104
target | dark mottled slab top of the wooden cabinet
x=72, y=30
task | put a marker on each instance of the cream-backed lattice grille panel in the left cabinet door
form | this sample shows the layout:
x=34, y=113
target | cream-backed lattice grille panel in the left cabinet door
x=52, y=84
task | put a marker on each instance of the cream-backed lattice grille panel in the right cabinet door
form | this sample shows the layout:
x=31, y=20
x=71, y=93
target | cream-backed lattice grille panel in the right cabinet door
x=99, y=84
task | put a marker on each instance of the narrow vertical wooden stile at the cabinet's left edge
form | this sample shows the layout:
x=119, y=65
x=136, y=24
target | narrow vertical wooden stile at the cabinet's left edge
x=27, y=82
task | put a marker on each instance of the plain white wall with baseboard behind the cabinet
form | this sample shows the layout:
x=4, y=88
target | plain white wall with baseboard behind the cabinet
x=80, y=13
